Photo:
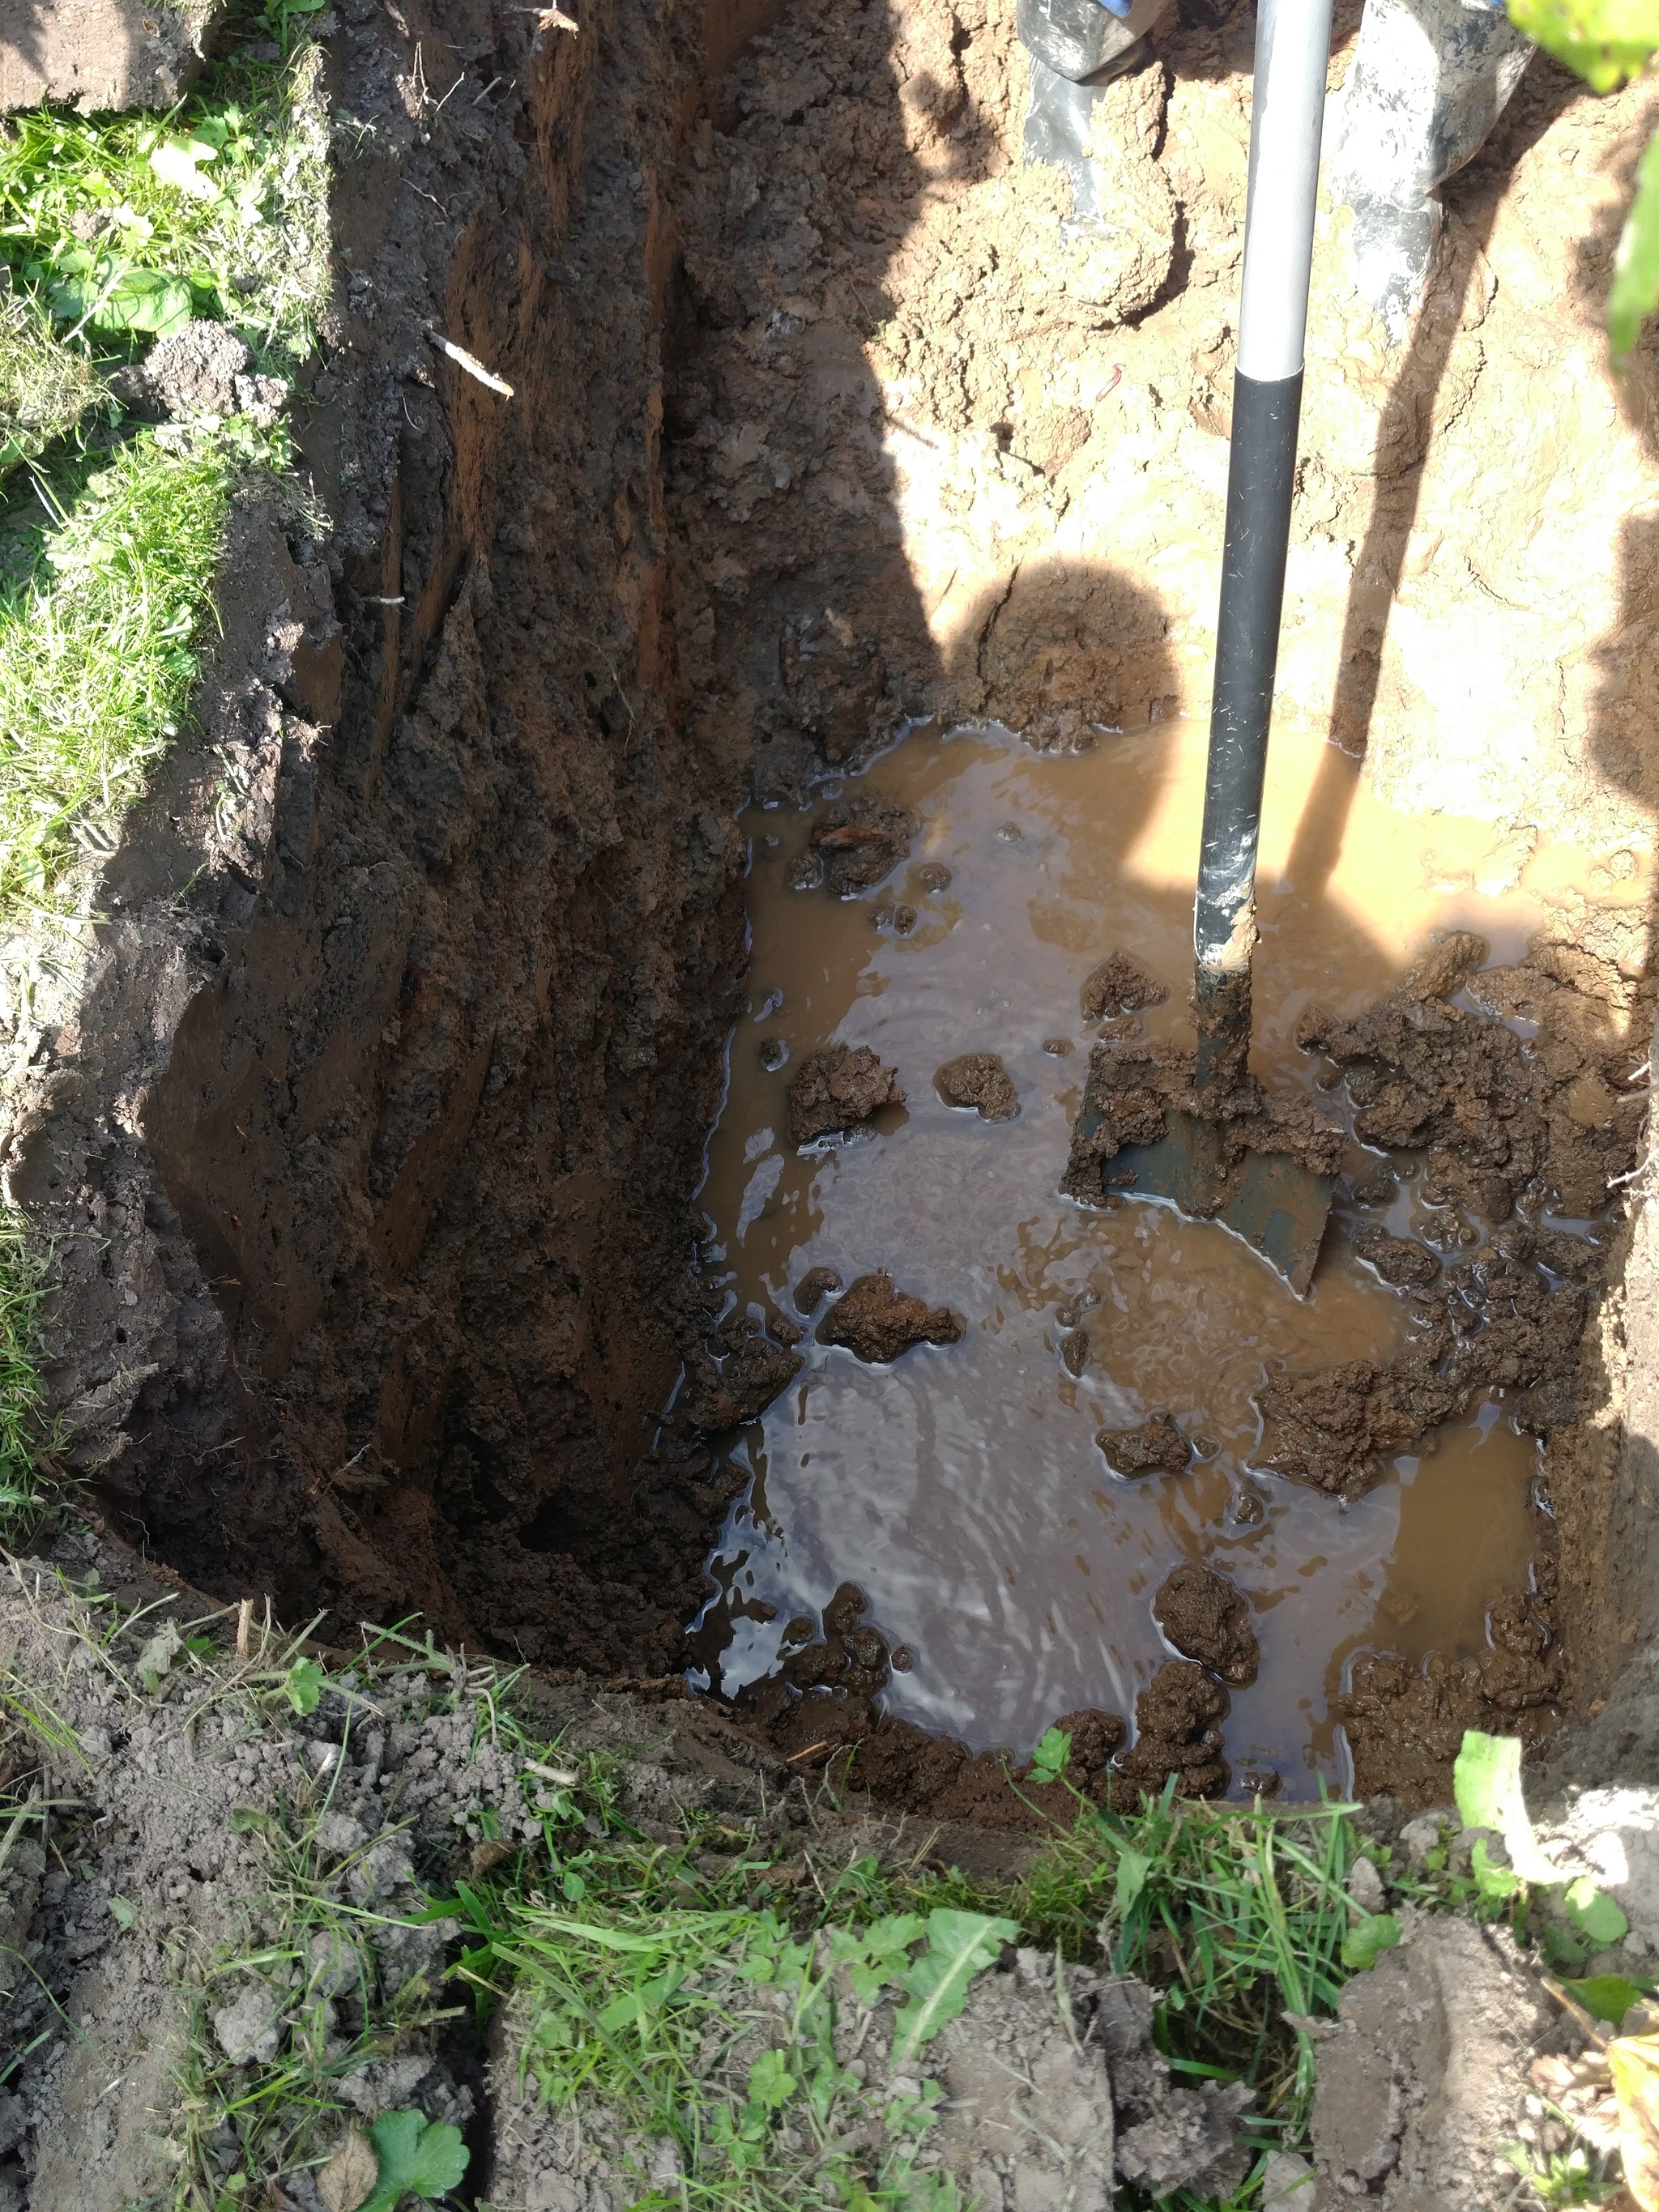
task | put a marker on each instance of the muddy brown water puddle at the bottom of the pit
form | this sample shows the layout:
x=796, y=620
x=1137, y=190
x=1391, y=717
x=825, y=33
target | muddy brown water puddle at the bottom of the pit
x=963, y=1488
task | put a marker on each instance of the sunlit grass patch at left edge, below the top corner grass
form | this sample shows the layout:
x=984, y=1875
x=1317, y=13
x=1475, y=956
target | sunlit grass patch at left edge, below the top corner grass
x=101, y=654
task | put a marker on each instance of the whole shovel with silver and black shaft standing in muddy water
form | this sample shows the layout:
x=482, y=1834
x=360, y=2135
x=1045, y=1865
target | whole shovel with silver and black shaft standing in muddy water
x=1273, y=1202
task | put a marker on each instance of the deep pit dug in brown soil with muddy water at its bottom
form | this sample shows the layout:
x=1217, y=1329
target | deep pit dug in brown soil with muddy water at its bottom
x=375, y=1156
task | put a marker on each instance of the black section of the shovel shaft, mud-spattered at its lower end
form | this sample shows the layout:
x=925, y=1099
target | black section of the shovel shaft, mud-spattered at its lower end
x=1262, y=479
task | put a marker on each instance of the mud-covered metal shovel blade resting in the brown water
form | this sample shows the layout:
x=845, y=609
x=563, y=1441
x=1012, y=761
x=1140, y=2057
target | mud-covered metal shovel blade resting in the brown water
x=1273, y=1202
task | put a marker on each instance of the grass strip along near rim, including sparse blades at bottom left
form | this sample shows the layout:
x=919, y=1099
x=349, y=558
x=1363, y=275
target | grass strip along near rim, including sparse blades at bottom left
x=634, y=1968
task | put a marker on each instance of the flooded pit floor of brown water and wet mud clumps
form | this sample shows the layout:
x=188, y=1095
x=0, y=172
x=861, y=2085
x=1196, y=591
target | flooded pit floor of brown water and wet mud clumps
x=1136, y=1441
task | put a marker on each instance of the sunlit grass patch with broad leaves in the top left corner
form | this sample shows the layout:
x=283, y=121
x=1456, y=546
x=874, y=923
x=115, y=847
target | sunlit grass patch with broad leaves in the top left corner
x=132, y=225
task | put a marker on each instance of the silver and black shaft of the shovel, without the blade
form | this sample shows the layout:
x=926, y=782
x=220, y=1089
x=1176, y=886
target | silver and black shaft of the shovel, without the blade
x=1288, y=114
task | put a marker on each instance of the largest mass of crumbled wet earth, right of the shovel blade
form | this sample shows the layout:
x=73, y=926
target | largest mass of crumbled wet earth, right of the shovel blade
x=1499, y=1129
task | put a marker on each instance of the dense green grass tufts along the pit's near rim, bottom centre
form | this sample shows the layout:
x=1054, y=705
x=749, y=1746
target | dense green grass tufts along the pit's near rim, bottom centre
x=634, y=1972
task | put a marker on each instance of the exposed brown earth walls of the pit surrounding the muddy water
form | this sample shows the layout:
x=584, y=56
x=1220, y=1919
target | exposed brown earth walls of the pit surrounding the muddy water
x=371, y=1120
